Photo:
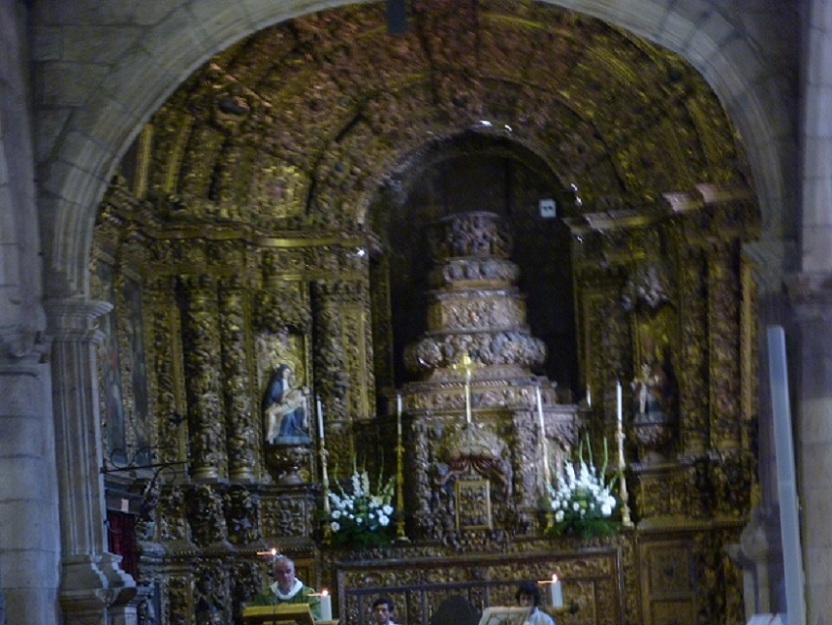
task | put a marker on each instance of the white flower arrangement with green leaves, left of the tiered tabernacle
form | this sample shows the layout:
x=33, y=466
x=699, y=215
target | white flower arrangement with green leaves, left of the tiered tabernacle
x=360, y=517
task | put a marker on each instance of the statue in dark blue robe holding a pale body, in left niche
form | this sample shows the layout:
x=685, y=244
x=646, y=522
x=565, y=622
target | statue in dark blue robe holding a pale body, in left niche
x=285, y=409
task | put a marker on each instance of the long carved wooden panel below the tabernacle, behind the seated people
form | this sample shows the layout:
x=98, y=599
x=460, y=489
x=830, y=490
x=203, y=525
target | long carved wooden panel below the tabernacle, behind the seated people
x=419, y=579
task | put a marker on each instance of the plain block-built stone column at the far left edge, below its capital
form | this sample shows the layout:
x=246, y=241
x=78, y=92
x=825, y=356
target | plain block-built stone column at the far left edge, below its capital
x=29, y=545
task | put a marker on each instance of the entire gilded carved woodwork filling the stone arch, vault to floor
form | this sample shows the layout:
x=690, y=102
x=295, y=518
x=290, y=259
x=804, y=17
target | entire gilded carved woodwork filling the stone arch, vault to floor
x=263, y=177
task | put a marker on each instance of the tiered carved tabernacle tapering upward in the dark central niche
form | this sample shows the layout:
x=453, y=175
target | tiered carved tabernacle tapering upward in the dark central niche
x=484, y=429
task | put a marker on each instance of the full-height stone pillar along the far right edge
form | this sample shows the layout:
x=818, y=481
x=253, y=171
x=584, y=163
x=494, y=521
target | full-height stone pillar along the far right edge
x=814, y=432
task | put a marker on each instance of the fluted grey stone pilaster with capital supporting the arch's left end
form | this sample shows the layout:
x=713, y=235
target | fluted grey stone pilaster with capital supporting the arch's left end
x=93, y=584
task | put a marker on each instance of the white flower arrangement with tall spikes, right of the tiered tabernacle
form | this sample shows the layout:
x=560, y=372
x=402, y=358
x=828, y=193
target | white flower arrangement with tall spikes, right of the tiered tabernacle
x=583, y=502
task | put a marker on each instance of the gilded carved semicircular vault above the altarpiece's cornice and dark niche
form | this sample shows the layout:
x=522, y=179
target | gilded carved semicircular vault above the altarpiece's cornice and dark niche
x=307, y=122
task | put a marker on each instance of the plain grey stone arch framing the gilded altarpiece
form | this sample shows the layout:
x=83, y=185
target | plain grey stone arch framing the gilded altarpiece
x=79, y=156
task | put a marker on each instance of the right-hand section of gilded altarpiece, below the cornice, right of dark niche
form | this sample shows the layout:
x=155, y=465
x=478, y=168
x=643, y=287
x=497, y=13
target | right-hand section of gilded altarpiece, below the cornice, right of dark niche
x=665, y=309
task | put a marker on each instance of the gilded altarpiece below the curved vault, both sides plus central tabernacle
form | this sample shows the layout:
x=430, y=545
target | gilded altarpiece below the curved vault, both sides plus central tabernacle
x=661, y=295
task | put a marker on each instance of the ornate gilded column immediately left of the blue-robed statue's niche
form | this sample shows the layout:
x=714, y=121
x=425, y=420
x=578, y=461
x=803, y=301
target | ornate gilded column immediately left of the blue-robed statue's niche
x=241, y=438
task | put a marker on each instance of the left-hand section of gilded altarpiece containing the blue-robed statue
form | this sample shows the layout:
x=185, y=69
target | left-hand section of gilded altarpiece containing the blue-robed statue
x=216, y=477
